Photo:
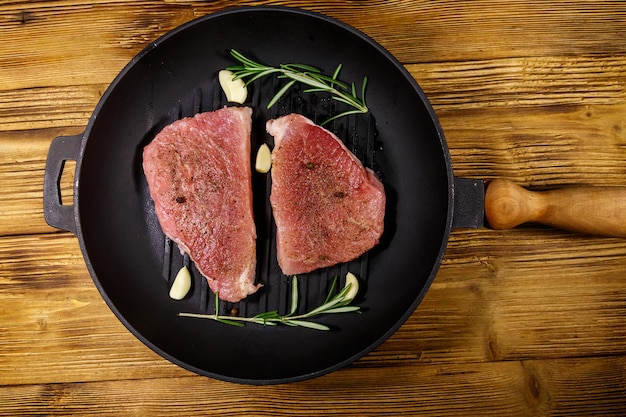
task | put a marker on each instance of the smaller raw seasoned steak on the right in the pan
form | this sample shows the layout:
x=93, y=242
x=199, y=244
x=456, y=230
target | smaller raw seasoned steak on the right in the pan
x=327, y=206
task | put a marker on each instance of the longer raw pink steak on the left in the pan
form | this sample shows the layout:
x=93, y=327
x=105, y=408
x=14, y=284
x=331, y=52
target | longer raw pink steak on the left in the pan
x=199, y=176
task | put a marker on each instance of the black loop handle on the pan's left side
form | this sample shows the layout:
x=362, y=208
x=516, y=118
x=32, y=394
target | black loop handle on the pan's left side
x=62, y=149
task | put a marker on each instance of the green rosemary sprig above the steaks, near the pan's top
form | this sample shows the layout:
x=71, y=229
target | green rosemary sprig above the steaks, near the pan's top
x=305, y=74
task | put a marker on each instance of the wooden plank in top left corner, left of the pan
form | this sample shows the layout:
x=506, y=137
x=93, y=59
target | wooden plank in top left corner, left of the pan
x=115, y=33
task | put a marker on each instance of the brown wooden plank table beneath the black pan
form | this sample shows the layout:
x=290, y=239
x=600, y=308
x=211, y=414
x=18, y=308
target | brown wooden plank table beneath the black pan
x=530, y=321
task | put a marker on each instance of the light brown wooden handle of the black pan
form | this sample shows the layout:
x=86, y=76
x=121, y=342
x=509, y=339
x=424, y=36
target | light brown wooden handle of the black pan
x=590, y=210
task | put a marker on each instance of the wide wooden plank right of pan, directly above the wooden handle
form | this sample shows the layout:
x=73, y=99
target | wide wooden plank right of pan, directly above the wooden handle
x=531, y=126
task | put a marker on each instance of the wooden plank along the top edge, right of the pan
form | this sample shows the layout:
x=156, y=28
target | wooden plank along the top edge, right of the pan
x=467, y=30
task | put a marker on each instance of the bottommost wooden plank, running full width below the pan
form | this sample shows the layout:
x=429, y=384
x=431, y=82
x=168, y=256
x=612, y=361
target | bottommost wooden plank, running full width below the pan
x=487, y=389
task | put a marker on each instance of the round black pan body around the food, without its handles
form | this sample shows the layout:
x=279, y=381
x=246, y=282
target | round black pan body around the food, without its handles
x=130, y=260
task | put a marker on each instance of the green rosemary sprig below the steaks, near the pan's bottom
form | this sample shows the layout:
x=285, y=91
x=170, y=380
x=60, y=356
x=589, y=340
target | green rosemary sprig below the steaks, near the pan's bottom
x=333, y=304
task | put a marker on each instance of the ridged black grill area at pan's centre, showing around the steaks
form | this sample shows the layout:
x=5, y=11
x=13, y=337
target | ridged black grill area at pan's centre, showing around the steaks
x=358, y=132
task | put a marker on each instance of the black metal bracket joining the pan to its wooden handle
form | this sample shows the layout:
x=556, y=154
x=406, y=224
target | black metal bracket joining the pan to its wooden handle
x=469, y=203
